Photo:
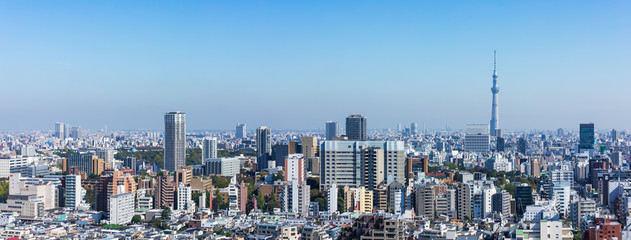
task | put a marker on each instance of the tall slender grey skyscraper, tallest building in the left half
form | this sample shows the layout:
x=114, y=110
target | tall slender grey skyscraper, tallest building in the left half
x=174, y=140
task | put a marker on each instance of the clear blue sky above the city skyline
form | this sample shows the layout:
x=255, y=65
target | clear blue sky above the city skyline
x=297, y=64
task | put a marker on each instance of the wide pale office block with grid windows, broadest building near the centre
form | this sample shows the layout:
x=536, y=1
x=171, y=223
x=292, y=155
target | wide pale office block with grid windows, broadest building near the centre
x=359, y=163
